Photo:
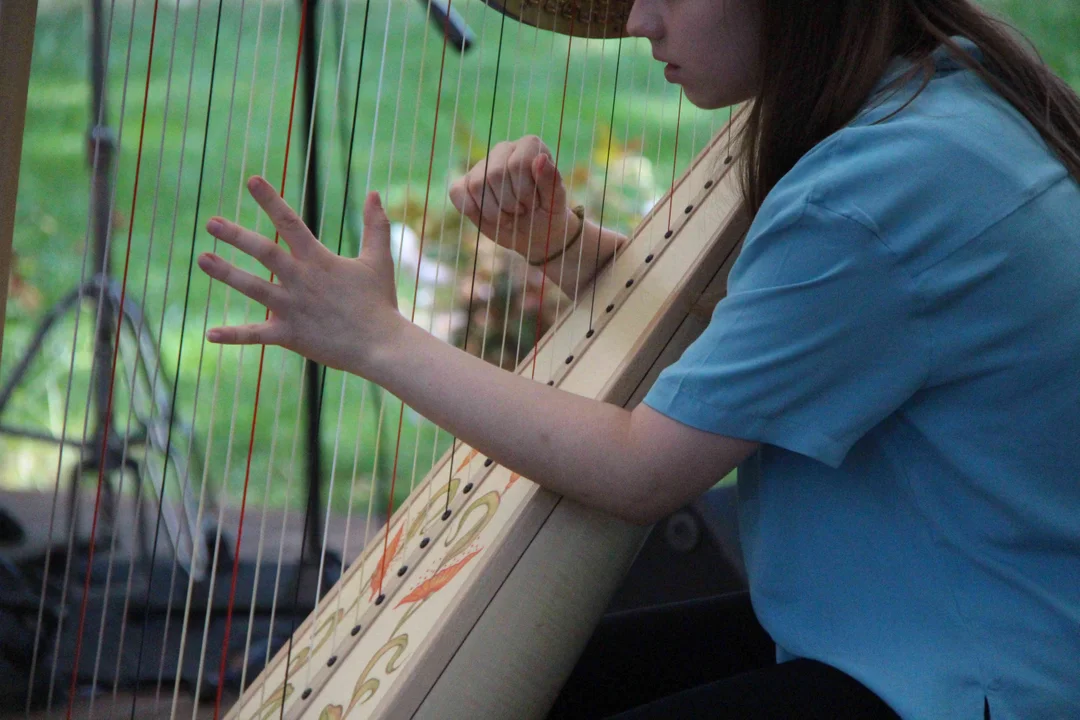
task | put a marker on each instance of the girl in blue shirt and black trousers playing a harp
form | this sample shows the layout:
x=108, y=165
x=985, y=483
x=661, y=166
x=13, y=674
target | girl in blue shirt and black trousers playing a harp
x=894, y=371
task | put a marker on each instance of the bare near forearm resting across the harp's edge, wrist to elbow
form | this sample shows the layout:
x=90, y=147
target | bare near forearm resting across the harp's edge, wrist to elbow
x=578, y=447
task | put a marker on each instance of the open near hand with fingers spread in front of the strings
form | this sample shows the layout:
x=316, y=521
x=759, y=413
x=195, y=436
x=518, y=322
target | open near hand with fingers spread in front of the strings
x=337, y=311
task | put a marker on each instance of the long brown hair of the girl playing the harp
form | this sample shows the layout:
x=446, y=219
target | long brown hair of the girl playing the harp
x=822, y=60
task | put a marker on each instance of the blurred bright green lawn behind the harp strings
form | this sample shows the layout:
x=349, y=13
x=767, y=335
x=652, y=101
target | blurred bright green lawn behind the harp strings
x=247, y=134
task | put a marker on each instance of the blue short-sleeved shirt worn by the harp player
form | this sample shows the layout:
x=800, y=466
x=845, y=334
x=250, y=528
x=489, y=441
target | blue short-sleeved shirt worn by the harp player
x=902, y=334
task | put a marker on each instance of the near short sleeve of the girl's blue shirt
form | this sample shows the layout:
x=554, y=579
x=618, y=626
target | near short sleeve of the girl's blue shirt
x=816, y=344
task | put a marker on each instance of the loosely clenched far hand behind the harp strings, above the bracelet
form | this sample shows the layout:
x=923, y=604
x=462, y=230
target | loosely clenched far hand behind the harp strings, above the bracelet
x=517, y=198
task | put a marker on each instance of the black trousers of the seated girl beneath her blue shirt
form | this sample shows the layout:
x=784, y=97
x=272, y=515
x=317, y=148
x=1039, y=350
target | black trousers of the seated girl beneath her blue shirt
x=704, y=659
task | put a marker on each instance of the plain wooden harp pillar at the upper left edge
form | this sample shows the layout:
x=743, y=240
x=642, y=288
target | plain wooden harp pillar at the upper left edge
x=17, y=46
